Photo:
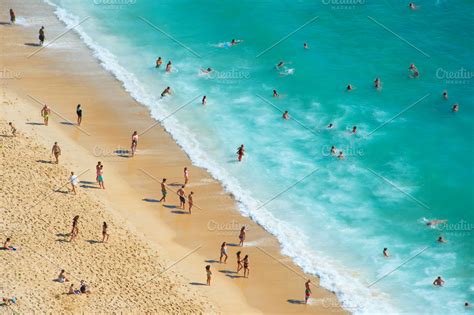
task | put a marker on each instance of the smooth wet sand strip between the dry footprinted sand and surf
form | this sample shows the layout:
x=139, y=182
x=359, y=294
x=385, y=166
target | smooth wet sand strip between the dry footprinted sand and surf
x=131, y=181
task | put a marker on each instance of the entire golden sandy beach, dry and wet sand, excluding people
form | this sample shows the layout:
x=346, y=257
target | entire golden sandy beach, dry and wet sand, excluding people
x=147, y=237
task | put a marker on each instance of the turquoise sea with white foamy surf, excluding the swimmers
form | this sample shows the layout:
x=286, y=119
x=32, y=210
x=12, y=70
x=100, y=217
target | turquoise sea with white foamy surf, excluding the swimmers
x=410, y=161
